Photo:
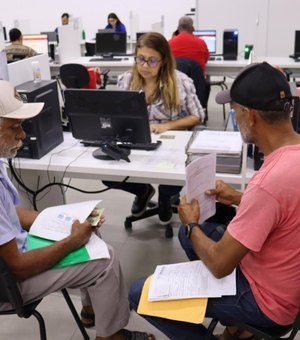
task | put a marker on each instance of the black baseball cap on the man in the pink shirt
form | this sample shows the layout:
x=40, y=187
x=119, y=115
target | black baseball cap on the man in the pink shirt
x=259, y=86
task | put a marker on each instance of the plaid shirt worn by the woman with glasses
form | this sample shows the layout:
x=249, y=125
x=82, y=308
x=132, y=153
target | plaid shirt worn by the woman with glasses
x=189, y=102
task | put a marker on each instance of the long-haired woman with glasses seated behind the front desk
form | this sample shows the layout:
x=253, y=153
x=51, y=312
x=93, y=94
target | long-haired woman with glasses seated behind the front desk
x=172, y=105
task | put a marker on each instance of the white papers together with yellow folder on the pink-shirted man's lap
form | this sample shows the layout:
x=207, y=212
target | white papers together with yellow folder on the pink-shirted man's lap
x=180, y=291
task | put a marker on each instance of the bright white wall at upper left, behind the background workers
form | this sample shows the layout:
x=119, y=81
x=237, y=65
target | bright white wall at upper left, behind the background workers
x=45, y=15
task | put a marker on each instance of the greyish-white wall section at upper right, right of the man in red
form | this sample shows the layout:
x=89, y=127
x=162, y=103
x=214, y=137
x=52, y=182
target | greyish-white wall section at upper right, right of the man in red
x=267, y=24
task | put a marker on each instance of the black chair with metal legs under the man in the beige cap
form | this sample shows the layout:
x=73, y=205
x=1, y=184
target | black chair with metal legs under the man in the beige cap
x=9, y=292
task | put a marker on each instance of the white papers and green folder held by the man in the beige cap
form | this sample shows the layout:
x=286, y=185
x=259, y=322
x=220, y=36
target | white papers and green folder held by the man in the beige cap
x=54, y=224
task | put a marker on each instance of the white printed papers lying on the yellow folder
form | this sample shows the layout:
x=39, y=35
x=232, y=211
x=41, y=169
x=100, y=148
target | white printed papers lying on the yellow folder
x=188, y=280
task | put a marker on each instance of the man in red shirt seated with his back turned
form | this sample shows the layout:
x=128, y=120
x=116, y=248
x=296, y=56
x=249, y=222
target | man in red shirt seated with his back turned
x=186, y=45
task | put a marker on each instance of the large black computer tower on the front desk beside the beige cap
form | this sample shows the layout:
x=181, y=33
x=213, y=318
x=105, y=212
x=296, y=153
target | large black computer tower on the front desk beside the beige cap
x=44, y=131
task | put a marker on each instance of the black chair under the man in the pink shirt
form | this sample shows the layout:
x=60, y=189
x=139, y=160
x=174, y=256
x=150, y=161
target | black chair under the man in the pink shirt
x=273, y=333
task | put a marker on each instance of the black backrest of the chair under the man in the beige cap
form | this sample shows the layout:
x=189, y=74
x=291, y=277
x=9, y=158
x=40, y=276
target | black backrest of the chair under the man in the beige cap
x=9, y=290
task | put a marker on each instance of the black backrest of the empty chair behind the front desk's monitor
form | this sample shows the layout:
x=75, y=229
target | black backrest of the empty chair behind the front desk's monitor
x=74, y=76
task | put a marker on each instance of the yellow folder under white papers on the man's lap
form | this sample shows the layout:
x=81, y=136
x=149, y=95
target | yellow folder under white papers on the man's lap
x=188, y=310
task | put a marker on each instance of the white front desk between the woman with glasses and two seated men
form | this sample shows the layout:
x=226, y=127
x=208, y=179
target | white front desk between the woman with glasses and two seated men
x=166, y=165
